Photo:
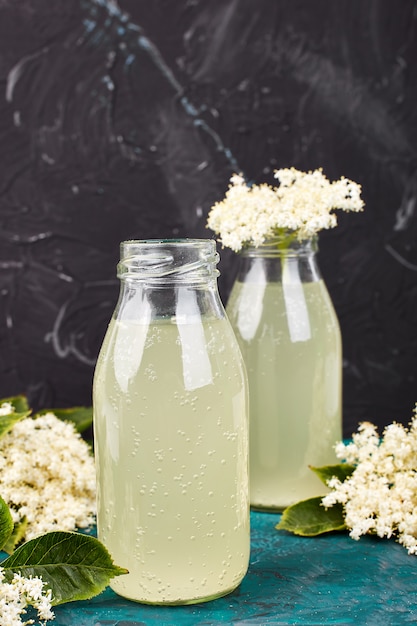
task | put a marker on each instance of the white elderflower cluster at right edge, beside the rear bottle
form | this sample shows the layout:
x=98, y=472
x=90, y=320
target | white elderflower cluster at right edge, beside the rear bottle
x=380, y=496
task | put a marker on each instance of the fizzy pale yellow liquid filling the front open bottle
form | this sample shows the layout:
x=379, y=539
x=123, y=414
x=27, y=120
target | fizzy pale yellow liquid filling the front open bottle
x=170, y=411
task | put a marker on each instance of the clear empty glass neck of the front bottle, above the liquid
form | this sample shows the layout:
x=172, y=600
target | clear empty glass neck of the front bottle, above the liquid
x=168, y=279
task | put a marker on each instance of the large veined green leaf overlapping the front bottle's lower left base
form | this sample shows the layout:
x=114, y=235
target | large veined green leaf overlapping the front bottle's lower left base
x=74, y=566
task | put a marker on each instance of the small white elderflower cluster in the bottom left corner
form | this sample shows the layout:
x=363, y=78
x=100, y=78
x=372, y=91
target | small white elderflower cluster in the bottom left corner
x=21, y=593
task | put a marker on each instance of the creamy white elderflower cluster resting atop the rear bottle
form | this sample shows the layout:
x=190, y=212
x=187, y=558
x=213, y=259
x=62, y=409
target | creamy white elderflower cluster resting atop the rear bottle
x=302, y=204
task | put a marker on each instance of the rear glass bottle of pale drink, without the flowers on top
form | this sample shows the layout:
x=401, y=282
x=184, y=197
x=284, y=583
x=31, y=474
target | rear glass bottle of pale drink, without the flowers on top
x=290, y=339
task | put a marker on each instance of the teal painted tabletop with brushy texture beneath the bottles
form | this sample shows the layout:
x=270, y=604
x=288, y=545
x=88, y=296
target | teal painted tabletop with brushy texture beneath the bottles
x=329, y=580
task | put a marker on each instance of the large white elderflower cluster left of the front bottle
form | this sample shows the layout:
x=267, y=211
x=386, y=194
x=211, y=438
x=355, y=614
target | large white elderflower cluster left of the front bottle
x=47, y=475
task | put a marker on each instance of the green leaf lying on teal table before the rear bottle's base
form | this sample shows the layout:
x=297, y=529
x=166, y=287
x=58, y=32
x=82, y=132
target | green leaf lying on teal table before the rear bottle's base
x=309, y=518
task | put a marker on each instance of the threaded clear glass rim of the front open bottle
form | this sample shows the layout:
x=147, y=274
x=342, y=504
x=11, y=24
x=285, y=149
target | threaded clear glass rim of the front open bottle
x=173, y=260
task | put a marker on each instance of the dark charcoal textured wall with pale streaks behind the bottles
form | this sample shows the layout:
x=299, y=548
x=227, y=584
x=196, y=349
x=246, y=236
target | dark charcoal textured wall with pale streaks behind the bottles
x=126, y=120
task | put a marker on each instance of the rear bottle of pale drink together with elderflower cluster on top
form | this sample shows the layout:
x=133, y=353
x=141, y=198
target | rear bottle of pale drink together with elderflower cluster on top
x=286, y=326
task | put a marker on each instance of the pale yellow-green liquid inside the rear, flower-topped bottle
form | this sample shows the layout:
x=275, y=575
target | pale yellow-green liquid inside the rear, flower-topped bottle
x=295, y=391
